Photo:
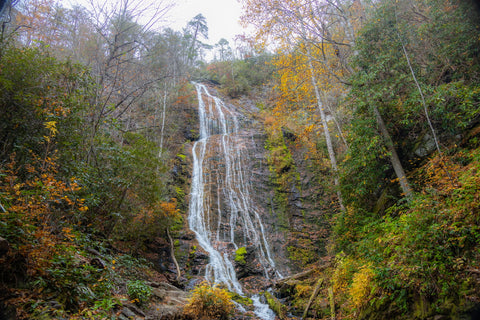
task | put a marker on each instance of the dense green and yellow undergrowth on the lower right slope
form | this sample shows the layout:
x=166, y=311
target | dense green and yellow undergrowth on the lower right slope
x=419, y=259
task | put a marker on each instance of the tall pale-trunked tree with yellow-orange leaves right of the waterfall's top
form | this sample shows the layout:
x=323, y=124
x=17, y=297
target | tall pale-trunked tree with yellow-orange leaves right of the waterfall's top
x=277, y=19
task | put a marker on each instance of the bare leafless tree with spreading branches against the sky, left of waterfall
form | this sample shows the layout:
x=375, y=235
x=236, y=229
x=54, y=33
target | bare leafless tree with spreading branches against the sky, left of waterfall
x=122, y=77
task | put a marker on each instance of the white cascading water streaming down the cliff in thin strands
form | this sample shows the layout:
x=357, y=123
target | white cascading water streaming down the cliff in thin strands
x=219, y=173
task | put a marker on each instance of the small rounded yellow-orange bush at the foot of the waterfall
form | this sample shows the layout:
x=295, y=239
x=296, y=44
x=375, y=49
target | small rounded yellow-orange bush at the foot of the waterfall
x=209, y=302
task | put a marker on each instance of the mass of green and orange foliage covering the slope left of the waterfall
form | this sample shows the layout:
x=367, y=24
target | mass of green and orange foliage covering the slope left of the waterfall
x=67, y=187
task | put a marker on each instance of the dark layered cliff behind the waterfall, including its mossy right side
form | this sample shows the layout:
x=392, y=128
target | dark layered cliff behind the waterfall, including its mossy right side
x=294, y=228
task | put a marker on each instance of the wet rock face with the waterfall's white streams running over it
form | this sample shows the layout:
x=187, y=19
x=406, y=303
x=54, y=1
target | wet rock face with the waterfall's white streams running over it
x=230, y=198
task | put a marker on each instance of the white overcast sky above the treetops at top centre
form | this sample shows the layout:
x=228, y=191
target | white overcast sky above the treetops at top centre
x=222, y=16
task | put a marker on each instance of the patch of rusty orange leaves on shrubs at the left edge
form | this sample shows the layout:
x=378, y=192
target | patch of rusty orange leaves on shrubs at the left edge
x=41, y=202
